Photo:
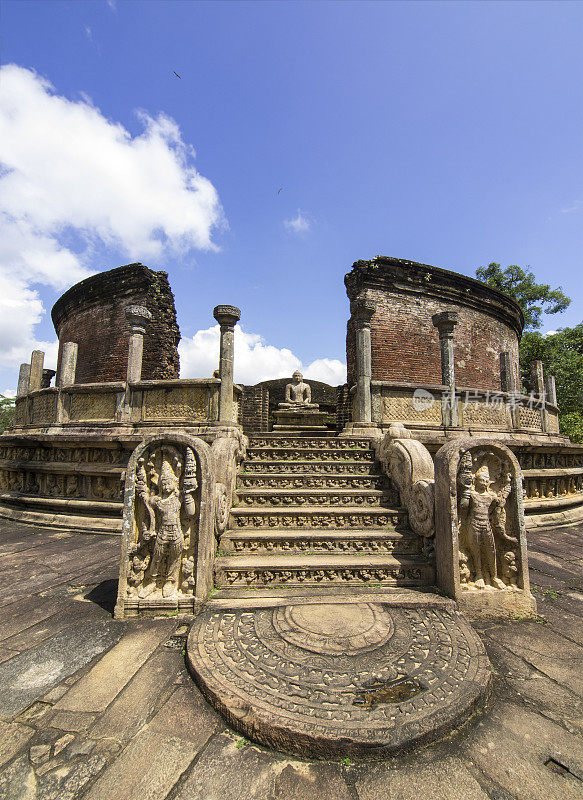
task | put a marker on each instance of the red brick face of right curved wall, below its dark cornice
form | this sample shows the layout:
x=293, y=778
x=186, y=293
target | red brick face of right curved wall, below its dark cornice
x=405, y=344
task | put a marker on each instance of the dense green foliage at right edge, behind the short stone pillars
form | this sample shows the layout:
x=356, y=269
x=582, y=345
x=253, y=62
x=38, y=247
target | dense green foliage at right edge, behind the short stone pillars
x=562, y=356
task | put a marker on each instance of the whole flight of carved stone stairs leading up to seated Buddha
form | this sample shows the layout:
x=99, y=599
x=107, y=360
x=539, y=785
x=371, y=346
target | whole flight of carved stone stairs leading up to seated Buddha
x=316, y=512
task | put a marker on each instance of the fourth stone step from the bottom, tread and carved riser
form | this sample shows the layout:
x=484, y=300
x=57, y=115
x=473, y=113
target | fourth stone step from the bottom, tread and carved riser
x=314, y=497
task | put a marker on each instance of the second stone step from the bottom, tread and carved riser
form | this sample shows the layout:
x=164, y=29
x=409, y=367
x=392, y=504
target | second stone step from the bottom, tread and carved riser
x=309, y=541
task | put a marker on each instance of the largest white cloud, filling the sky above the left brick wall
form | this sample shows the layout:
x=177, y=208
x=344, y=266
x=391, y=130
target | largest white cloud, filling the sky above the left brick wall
x=72, y=181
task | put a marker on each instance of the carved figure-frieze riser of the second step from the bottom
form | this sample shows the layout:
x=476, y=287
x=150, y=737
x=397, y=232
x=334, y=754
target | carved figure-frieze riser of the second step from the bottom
x=406, y=546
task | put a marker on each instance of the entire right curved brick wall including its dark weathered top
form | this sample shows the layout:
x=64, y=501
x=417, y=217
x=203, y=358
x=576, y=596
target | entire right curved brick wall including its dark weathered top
x=405, y=344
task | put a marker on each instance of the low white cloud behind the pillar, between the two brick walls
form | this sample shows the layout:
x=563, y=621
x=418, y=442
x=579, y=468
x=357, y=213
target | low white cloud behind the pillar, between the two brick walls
x=255, y=360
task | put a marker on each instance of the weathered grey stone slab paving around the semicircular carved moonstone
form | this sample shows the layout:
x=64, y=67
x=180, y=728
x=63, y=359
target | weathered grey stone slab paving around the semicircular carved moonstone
x=91, y=707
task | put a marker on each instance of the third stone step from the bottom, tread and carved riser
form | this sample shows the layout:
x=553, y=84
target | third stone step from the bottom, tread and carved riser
x=316, y=517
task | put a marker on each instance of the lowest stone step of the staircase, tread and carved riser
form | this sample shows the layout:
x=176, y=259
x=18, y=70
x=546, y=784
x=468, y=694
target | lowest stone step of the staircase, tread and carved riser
x=322, y=569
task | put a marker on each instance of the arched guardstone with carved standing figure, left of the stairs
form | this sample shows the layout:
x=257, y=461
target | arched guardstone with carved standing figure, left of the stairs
x=168, y=510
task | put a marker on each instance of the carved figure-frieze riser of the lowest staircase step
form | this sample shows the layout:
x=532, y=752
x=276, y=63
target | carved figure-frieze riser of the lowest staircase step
x=392, y=576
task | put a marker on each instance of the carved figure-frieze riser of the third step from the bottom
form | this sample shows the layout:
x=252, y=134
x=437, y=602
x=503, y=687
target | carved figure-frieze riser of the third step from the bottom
x=293, y=519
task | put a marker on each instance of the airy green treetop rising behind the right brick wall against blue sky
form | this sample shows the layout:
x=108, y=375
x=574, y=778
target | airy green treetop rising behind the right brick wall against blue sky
x=534, y=298
